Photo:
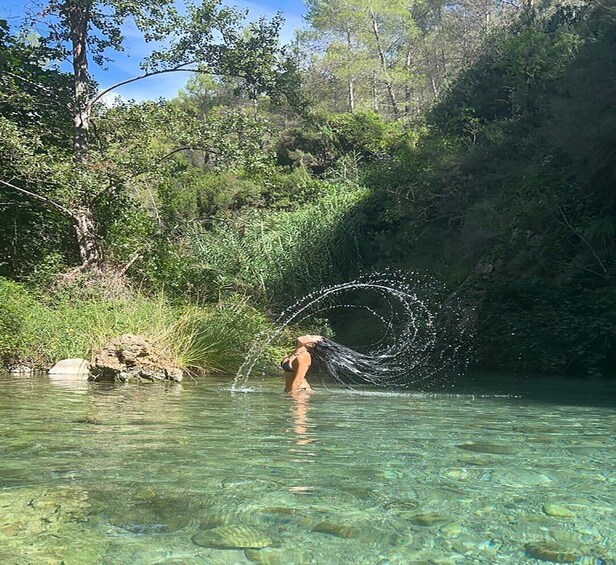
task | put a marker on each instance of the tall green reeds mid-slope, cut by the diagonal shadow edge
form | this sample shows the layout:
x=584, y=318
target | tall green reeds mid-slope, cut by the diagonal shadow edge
x=277, y=256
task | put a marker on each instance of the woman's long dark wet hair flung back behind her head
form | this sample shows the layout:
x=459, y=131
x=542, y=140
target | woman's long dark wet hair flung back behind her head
x=348, y=367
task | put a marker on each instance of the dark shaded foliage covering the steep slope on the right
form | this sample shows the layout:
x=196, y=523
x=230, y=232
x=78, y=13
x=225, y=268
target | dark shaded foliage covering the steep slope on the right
x=500, y=195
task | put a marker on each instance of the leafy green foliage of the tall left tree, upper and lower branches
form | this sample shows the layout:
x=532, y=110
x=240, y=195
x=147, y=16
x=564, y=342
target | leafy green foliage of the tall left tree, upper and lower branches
x=97, y=179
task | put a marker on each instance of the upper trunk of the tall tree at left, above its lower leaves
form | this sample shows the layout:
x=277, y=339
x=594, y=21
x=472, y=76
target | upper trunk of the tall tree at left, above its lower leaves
x=77, y=14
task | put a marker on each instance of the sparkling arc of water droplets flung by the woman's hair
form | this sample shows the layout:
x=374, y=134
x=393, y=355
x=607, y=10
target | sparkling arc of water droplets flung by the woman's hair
x=410, y=352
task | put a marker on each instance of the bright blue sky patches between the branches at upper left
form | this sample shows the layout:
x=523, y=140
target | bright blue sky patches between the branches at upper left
x=126, y=64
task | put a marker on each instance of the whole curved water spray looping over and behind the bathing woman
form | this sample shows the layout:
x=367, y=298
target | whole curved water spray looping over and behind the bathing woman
x=410, y=350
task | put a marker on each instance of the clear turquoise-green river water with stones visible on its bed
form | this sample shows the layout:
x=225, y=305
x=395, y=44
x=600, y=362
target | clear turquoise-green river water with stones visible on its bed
x=192, y=473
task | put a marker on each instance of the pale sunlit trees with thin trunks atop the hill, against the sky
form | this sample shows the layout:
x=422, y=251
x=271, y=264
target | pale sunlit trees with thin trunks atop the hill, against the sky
x=395, y=57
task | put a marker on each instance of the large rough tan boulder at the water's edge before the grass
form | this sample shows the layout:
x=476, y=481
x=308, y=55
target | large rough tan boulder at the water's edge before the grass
x=131, y=358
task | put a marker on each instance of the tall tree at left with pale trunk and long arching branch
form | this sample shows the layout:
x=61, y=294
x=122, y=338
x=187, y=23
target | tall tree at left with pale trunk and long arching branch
x=209, y=38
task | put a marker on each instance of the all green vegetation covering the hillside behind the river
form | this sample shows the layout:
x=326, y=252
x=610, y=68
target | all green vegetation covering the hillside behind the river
x=491, y=168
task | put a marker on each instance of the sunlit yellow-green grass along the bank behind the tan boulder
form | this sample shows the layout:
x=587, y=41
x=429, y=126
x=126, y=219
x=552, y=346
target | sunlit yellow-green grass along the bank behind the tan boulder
x=38, y=332
